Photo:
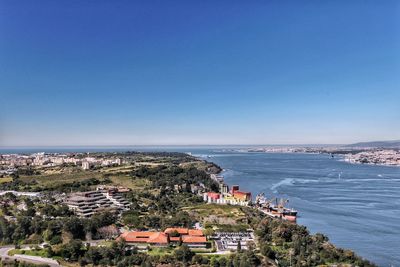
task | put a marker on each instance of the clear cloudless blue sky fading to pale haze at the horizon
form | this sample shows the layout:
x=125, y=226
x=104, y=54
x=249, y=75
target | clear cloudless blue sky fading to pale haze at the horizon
x=198, y=72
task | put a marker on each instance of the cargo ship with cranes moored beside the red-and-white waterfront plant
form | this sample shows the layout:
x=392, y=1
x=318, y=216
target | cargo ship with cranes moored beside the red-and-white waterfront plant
x=276, y=208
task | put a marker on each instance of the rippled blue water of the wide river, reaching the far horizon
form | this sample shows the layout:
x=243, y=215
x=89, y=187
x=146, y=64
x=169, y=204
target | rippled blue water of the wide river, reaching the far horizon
x=356, y=206
